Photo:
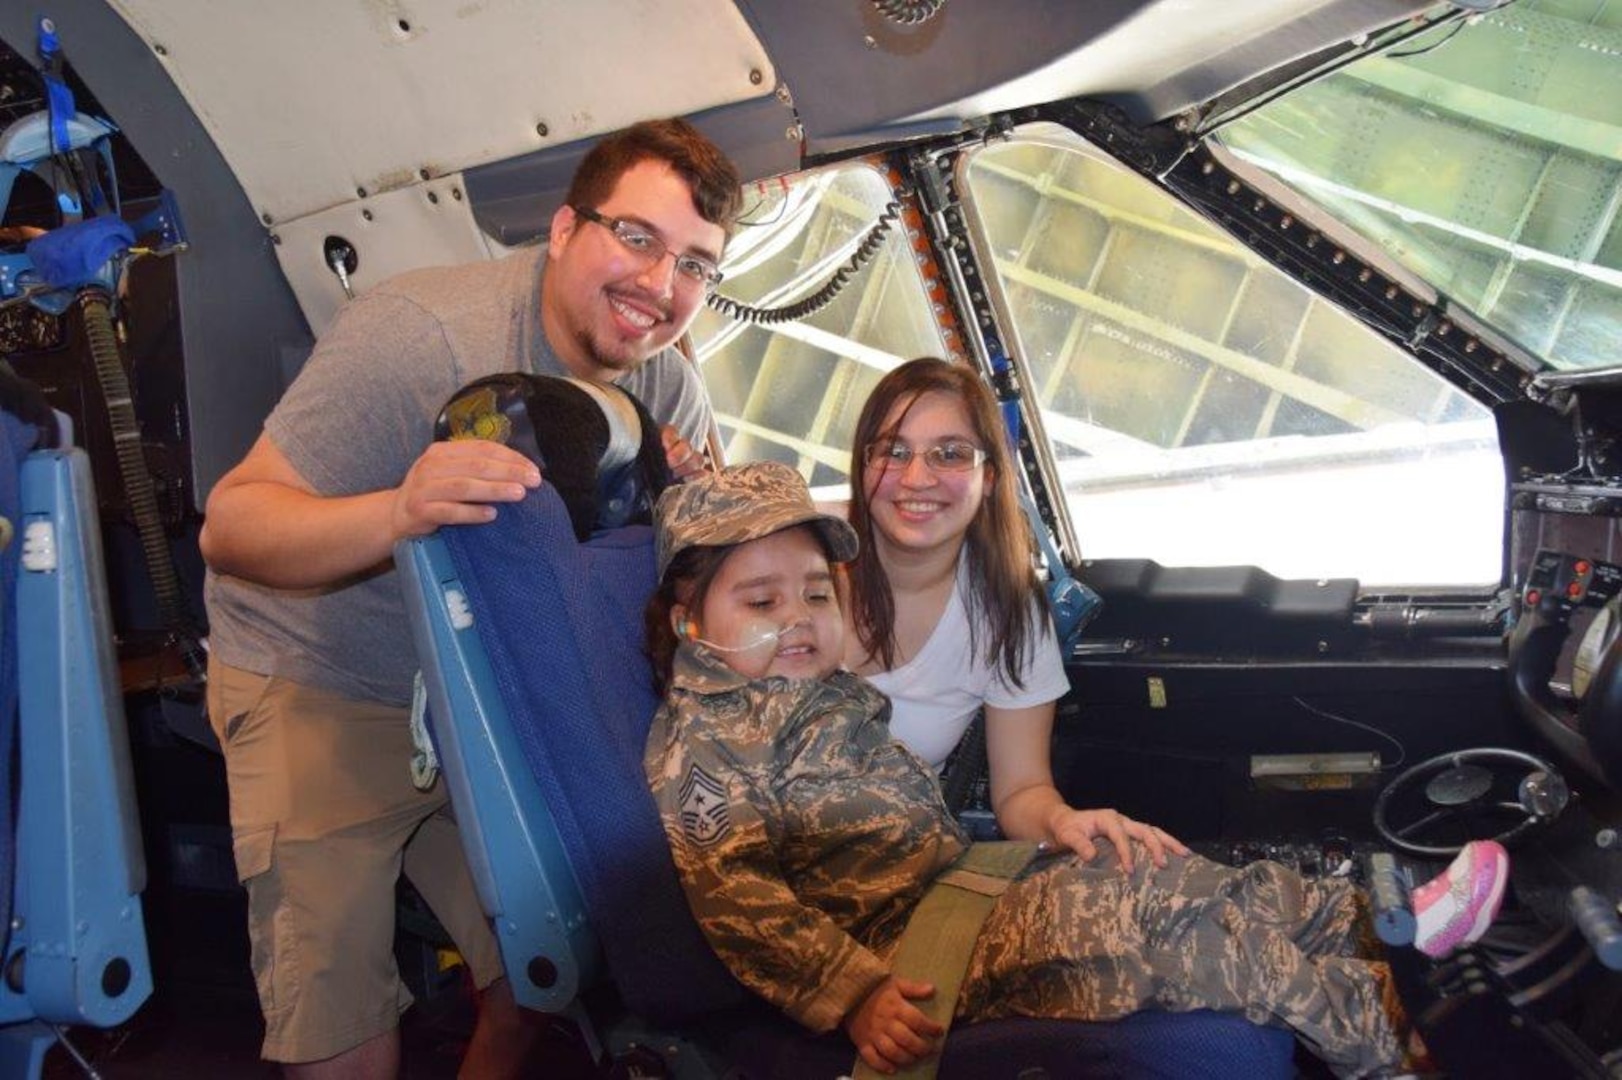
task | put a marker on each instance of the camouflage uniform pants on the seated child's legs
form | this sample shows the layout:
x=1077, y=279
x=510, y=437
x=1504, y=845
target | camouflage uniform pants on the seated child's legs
x=1086, y=941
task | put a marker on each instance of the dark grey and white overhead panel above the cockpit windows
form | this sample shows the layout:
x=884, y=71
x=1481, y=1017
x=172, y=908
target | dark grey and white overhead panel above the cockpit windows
x=854, y=72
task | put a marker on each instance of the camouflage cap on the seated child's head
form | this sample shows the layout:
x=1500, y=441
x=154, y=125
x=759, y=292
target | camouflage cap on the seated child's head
x=744, y=504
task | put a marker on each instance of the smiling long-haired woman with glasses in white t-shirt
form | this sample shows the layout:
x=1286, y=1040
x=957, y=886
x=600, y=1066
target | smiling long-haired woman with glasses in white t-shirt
x=946, y=609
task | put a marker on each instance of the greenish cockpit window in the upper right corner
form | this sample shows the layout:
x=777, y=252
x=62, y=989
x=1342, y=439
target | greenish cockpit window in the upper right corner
x=1485, y=156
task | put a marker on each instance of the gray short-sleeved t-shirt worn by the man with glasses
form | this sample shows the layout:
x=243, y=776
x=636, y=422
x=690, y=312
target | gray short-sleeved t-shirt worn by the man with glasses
x=356, y=419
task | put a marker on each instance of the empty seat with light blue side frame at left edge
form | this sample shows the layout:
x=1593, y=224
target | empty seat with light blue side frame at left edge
x=71, y=864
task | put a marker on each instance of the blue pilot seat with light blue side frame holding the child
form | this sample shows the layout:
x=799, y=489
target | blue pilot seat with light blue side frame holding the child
x=539, y=698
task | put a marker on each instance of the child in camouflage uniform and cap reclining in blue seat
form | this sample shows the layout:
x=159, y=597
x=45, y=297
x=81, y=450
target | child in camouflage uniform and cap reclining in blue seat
x=805, y=836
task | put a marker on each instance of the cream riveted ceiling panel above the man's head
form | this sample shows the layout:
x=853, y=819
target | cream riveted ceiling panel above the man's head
x=314, y=103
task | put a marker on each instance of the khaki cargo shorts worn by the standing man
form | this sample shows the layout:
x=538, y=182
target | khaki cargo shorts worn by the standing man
x=324, y=821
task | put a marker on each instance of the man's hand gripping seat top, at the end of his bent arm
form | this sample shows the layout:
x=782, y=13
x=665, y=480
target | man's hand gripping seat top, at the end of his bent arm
x=453, y=484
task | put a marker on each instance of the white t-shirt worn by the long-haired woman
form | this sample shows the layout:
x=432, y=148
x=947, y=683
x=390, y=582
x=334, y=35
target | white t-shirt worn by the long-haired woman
x=937, y=693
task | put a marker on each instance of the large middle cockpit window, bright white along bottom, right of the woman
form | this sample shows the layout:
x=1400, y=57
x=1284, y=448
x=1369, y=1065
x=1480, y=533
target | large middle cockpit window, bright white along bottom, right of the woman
x=1209, y=411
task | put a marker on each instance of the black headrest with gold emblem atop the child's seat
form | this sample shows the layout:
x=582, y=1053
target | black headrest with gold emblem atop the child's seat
x=594, y=444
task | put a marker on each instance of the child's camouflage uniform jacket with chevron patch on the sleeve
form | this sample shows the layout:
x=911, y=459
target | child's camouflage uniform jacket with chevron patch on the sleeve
x=804, y=834
